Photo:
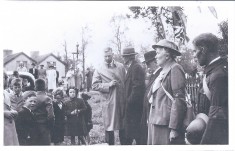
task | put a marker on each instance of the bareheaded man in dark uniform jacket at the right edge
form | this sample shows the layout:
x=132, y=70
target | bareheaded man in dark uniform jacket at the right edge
x=215, y=86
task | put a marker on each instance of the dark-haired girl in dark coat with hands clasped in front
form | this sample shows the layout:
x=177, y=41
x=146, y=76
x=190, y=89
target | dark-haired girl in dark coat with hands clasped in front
x=74, y=110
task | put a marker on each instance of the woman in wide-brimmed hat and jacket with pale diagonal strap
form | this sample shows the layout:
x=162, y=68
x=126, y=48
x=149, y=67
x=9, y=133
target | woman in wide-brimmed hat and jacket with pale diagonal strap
x=167, y=95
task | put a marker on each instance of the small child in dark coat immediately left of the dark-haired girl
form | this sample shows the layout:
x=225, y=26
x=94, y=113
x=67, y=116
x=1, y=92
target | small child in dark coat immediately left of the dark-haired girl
x=57, y=134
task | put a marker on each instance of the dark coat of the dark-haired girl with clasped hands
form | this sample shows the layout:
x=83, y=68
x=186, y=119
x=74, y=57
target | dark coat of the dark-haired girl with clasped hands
x=76, y=125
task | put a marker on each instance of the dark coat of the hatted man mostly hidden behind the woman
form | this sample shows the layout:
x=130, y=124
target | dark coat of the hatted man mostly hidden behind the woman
x=146, y=106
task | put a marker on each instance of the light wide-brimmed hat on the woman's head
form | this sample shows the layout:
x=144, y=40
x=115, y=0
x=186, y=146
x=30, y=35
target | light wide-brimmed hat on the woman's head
x=164, y=43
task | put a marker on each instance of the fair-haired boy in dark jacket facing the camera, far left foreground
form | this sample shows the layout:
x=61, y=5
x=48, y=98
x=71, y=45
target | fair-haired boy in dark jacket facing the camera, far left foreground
x=25, y=121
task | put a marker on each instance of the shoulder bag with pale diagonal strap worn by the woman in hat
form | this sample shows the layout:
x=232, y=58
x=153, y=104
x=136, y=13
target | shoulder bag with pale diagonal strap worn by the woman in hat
x=189, y=116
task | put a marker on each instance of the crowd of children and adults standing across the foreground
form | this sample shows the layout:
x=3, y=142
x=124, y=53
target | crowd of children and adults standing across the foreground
x=146, y=107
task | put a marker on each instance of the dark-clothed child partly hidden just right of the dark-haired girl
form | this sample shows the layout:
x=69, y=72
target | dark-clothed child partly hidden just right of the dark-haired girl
x=88, y=115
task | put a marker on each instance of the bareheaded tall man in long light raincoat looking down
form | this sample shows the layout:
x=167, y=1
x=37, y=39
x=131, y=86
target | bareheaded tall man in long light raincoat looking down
x=108, y=79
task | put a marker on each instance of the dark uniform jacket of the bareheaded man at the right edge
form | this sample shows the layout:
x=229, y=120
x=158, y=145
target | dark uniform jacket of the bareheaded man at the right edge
x=217, y=81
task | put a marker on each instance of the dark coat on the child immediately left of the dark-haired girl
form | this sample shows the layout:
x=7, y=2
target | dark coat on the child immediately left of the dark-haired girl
x=57, y=134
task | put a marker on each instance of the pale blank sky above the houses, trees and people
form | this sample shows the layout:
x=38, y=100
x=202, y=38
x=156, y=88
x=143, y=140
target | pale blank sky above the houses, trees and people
x=45, y=26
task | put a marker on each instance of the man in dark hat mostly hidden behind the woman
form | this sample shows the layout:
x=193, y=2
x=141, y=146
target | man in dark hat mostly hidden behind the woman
x=154, y=69
